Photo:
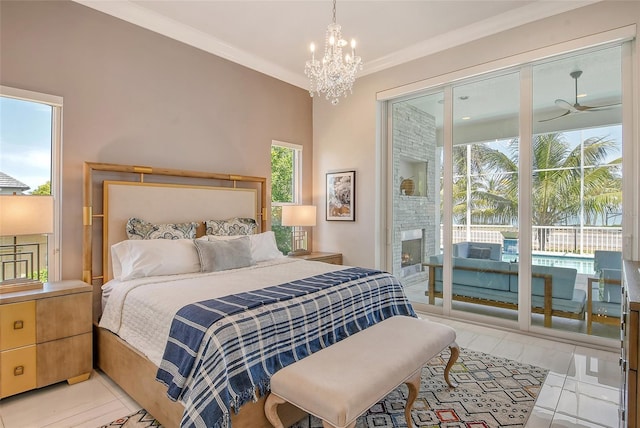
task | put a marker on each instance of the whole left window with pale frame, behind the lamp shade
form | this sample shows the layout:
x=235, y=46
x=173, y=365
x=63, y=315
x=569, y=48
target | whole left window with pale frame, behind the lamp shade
x=30, y=135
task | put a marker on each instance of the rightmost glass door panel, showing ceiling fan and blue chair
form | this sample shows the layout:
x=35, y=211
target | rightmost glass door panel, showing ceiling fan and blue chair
x=577, y=192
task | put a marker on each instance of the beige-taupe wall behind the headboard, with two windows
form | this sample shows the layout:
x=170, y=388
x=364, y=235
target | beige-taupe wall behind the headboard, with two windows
x=133, y=96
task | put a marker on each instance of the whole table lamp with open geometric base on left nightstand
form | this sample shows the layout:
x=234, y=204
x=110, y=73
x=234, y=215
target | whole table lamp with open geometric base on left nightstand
x=23, y=215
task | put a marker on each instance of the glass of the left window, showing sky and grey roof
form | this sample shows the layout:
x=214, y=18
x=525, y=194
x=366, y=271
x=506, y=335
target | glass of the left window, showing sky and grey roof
x=25, y=169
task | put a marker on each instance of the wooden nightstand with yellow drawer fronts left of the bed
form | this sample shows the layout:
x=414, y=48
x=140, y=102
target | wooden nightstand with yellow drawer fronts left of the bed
x=45, y=336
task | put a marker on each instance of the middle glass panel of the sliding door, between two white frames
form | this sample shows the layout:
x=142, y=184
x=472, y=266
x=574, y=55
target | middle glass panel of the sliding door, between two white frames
x=485, y=196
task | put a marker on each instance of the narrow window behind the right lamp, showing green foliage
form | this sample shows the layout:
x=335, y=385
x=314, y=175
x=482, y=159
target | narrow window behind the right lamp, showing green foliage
x=286, y=173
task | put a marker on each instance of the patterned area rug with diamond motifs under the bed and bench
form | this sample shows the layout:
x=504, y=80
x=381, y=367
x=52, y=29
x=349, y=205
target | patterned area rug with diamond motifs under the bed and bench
x=492, y=392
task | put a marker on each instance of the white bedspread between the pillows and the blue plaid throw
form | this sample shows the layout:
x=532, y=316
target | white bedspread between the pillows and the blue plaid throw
x=140, y=311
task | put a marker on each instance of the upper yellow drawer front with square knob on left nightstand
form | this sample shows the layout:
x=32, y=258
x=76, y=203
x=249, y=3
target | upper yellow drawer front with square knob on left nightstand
x=17, y=325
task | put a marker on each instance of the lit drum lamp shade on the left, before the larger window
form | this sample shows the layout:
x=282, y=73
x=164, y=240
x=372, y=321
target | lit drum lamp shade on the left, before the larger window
x=26, y=215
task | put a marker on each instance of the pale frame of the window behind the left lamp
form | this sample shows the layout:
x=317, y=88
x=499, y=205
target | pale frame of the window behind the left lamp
x=54, y=260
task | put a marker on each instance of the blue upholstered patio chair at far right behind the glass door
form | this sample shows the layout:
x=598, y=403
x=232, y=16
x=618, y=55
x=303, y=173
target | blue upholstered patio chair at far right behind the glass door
x=604, y=303
